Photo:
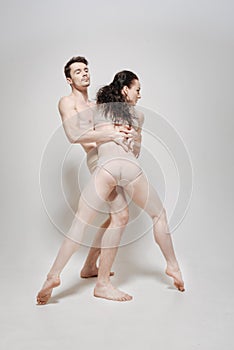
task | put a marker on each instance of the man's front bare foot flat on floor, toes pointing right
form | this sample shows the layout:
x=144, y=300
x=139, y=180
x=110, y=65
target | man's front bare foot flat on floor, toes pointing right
x=107, y=291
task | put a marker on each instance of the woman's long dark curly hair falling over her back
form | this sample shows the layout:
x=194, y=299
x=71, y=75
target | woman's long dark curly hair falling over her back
x=112, y=102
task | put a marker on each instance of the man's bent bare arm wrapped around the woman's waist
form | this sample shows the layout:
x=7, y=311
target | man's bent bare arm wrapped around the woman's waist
x=76, y=134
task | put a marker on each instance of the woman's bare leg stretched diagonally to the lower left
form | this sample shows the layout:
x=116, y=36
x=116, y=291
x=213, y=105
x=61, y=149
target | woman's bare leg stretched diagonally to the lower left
x=93, y=196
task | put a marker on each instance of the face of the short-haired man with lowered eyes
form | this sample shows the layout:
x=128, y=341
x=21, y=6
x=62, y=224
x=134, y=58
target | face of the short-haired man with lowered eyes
x=80, y=77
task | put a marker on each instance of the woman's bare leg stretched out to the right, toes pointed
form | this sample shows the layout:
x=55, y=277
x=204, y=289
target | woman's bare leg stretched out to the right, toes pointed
x=145, y=196
